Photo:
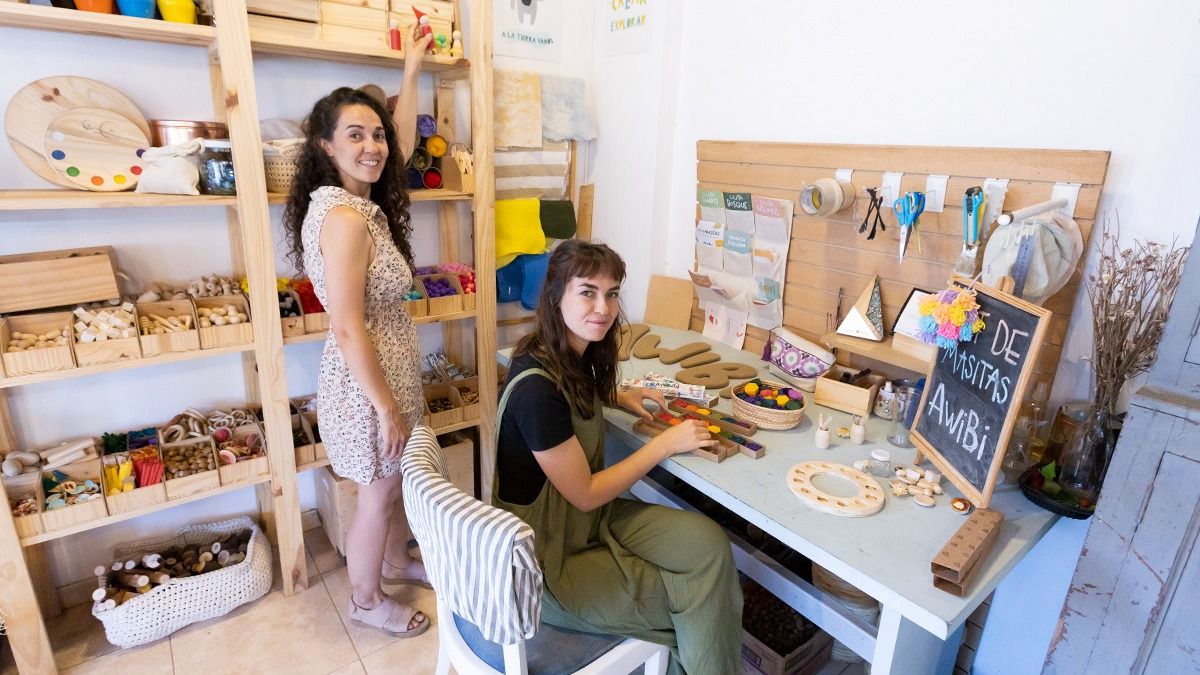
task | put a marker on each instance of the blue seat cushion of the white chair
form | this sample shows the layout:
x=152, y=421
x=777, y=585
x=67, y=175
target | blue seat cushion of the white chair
x=553, y=652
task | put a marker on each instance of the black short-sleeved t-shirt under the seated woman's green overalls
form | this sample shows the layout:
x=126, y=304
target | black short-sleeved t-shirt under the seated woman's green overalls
x=537, y=419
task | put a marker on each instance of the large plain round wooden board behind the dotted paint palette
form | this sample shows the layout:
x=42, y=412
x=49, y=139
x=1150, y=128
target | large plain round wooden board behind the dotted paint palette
x=38, y=104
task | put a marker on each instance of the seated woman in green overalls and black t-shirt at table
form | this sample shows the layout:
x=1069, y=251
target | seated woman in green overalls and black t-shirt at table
x=611, y=566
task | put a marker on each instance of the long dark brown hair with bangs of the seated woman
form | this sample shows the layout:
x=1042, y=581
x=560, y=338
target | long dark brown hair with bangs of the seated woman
x=579, y=378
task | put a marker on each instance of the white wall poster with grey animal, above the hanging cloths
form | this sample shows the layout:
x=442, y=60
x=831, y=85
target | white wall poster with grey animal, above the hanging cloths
x=529, y=29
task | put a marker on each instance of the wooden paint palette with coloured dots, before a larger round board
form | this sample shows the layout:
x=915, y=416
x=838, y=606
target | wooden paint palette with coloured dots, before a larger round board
x=95, y=150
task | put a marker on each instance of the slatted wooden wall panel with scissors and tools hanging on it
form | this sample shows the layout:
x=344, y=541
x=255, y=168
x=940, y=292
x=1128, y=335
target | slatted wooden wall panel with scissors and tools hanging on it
x=829, y=255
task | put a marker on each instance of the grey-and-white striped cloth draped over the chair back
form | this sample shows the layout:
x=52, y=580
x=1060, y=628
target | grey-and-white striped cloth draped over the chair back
x=479, y=559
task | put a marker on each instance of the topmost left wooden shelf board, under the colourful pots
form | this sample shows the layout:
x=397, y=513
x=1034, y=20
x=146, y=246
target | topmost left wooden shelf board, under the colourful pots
x=110, y=26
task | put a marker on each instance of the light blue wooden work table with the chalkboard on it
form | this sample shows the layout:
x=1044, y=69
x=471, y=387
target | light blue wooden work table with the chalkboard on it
x=886, y=555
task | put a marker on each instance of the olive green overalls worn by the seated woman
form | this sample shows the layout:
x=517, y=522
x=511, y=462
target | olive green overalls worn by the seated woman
x=628, y=569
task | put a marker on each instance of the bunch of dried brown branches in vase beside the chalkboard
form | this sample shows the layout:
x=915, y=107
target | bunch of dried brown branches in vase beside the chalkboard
x=1131, y=295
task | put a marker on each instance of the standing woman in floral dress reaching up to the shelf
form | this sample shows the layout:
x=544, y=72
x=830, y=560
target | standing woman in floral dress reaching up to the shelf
x=349, y=226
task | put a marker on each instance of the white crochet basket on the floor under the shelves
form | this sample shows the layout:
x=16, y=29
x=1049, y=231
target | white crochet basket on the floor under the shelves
x=182, y=602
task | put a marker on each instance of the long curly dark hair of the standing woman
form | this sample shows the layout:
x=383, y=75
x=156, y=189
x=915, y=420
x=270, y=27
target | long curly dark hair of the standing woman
x=316, y=170
